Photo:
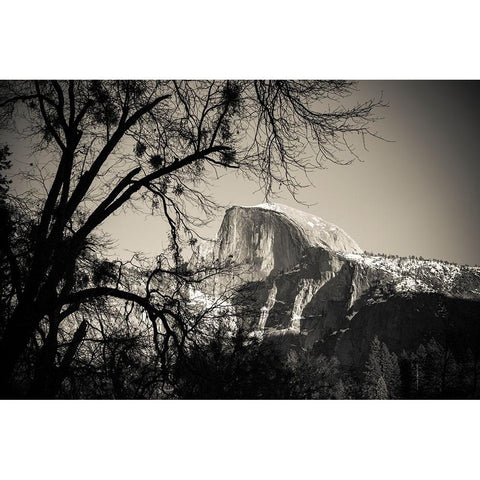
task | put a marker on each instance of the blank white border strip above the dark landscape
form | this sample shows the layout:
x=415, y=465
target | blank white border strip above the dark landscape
x=249, y=39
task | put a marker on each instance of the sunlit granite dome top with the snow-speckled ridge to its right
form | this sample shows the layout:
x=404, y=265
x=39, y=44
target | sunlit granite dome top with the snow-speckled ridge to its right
x=269, y=239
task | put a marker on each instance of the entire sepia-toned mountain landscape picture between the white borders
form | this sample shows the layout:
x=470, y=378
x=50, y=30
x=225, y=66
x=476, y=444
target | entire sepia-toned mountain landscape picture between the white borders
x=239, y=239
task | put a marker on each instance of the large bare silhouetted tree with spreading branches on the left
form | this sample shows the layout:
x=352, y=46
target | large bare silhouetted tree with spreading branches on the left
x=101, y=146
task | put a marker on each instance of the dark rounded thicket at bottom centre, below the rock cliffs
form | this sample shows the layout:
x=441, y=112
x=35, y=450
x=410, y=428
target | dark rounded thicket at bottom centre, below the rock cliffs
x=243, y=367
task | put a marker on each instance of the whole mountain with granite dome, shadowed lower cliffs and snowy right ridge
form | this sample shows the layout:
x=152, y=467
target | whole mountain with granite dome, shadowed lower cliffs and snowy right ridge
x=308, y=283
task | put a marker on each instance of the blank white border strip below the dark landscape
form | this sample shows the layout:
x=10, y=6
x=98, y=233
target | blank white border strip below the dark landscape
x=239, y=439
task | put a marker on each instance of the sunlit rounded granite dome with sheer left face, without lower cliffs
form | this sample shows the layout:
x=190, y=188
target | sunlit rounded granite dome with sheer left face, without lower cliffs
x=272, y=238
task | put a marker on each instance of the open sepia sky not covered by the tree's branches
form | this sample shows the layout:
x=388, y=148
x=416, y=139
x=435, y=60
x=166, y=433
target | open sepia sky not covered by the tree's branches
x=414, y=193
